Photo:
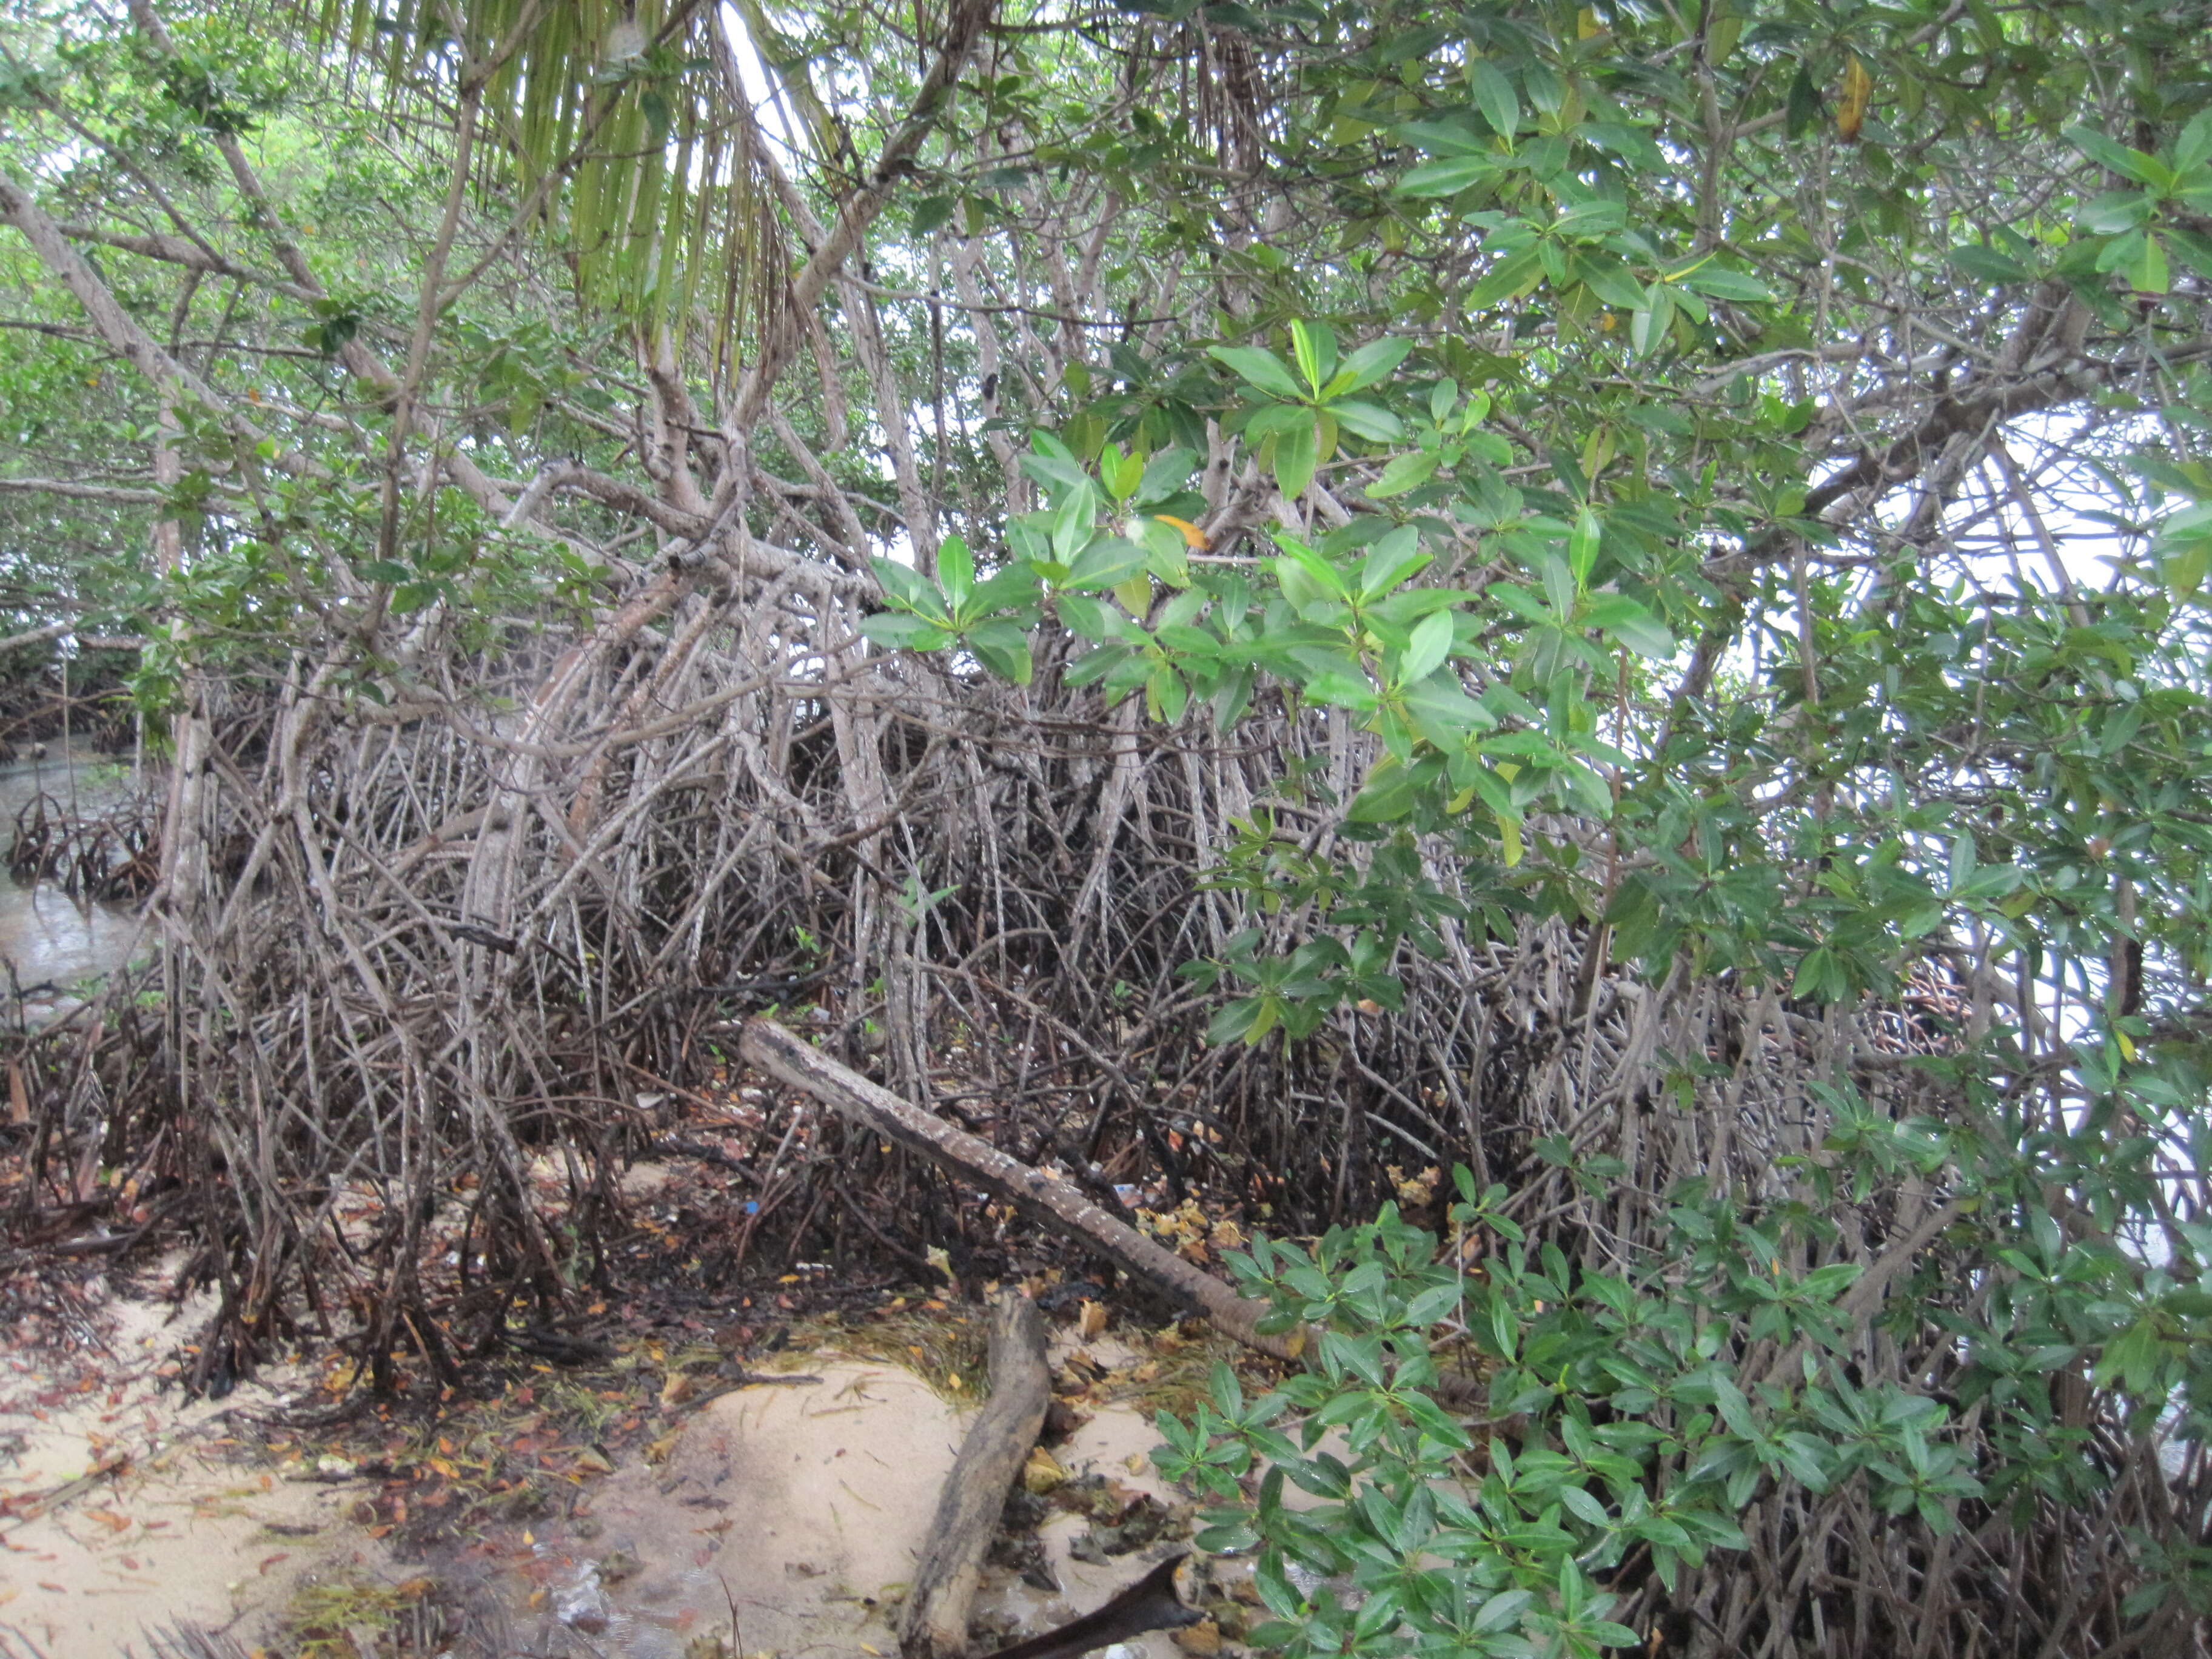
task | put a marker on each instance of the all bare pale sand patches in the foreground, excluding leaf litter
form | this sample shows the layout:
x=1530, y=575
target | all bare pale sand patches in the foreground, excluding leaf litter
x=780, y=1521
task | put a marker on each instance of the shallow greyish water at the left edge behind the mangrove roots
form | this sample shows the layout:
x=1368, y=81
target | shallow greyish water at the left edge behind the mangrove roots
x=50, y=941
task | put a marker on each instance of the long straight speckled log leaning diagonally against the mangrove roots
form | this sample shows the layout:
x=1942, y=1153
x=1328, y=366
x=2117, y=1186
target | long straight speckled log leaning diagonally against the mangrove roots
x=1034, y=1193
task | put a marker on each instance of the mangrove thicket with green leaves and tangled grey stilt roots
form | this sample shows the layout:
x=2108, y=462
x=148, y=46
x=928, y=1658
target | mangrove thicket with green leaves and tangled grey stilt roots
x=1607, y=598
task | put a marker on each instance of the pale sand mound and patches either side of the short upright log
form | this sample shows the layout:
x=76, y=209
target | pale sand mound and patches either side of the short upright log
x=789, y=1521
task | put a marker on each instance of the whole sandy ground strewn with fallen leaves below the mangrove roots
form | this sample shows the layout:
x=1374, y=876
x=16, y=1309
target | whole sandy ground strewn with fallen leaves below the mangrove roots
x=705, y=1463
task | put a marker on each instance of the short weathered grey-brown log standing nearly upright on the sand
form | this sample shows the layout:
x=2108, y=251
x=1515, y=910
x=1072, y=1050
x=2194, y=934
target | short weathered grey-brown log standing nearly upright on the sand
x=977, y=1490
